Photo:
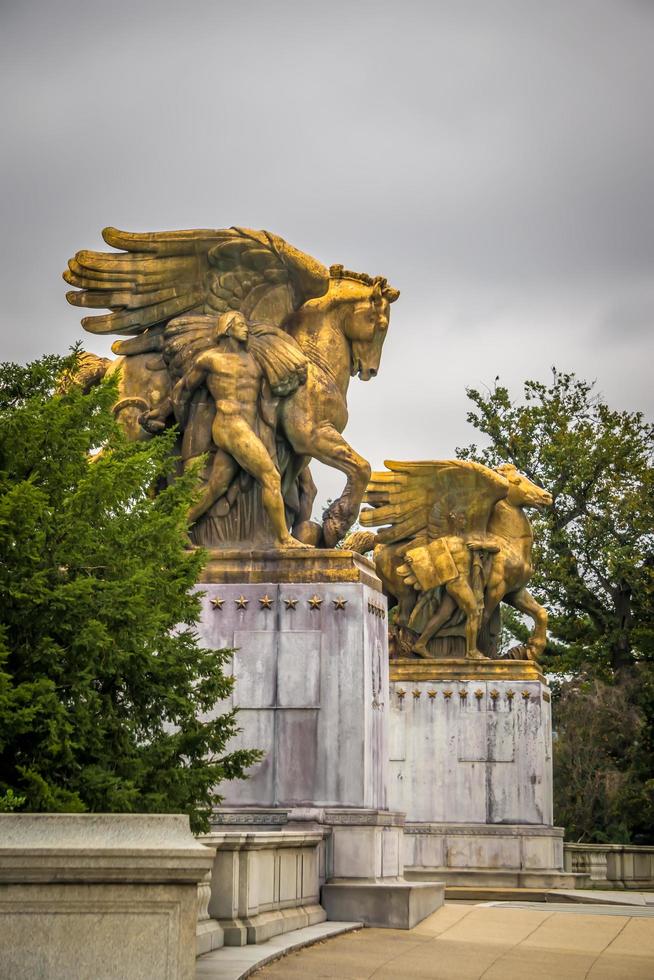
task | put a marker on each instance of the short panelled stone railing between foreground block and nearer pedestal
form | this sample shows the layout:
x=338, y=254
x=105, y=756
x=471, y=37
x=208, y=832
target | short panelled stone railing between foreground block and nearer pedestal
x=264, y=883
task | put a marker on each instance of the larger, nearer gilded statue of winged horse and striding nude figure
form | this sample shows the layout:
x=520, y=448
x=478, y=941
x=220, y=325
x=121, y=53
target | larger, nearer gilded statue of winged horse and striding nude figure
x=259, y=394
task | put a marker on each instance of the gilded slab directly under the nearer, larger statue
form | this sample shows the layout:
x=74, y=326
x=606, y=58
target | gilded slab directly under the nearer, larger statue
x=288, y=565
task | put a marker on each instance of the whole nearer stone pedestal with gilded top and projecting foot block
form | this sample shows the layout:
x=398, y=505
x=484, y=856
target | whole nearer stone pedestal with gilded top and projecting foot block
x=310, y=664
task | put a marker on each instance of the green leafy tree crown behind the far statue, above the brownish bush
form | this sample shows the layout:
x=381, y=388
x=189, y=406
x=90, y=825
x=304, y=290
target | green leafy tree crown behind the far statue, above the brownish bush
x=594, y=567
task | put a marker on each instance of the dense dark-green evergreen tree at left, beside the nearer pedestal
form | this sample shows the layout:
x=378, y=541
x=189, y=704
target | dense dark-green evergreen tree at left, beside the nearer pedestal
x=103, y=683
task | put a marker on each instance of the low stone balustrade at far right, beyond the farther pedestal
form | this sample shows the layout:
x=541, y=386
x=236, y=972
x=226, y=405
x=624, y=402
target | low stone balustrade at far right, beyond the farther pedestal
x=612, y=865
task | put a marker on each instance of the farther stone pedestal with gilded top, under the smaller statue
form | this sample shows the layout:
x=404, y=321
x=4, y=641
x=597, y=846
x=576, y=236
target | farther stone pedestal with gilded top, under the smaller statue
x=471, y=765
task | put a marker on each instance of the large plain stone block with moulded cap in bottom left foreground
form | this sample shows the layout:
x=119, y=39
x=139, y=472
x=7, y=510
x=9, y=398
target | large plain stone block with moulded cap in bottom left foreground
x=97, y=895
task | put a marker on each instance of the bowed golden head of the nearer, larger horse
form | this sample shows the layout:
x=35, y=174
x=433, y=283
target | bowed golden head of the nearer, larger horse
x=365, y=304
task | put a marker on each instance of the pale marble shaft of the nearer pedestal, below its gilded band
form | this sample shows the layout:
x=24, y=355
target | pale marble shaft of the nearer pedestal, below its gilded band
x=311, y=670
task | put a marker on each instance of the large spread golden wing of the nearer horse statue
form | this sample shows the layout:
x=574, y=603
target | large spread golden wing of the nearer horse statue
x=161, y=275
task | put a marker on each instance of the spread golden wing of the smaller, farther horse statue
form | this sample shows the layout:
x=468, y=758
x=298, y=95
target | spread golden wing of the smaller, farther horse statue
x=431, y=499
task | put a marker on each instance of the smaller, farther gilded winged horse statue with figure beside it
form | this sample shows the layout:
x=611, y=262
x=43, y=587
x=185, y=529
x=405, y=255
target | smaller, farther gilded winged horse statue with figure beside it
x=453, y=543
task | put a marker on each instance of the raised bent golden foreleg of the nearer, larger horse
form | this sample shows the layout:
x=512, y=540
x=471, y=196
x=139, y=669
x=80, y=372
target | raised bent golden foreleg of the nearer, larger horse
x=327, y=445
